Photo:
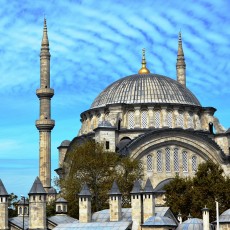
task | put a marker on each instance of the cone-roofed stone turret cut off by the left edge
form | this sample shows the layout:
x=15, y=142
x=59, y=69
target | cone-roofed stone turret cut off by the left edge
x=3, y=207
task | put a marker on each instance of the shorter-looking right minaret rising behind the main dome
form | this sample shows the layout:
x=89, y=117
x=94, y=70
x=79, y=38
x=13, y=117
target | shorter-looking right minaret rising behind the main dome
x=180, y=65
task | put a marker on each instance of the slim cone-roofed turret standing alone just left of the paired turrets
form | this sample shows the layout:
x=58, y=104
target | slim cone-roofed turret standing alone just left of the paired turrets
x=115, y=203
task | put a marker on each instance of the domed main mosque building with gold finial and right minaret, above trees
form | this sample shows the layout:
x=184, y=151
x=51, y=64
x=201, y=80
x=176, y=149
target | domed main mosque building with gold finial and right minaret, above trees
x=157, y=120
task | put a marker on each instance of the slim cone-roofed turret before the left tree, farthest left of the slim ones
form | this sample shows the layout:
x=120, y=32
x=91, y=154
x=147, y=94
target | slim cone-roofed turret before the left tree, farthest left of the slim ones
x=85, y=205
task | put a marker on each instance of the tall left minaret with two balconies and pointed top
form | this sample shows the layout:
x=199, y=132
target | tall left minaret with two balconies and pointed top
x=45, y=124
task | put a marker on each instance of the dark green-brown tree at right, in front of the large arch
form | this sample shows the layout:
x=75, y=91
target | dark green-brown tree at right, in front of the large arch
x=190, y=195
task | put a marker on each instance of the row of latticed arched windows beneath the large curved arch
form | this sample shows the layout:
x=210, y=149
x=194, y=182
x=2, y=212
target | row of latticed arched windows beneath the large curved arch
x=171, y=161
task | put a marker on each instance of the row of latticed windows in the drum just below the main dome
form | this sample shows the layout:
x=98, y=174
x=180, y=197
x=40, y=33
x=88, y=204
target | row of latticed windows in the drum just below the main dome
x=179, y=120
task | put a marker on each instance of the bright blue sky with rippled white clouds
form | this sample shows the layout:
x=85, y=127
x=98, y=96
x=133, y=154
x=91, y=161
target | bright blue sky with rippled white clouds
x=92, y=44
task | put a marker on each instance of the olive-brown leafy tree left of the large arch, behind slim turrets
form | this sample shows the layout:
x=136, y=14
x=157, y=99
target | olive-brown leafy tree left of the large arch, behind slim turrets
x=90, y=163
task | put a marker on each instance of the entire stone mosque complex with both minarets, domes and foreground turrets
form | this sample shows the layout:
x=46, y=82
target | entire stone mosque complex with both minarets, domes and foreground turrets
x=147, y=116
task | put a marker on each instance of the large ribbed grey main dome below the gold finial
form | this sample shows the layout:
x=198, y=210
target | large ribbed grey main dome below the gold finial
x=145, y=88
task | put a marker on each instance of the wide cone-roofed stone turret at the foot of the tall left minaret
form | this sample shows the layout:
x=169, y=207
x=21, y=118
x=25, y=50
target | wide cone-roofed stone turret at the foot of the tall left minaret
x=37, y=206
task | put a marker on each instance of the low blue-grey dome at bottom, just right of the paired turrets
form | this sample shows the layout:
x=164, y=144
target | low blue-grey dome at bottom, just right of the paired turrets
x=159, y=221
